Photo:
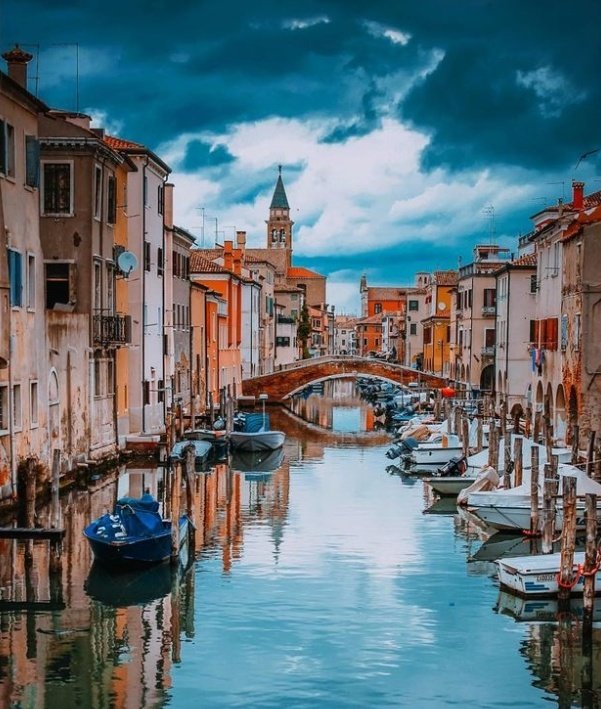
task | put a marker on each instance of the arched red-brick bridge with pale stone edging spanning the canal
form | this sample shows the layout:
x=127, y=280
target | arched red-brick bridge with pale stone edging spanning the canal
x=291, y=378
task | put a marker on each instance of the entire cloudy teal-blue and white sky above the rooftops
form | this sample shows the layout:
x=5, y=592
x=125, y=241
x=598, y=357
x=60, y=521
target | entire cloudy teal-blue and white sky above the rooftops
x=407, y=131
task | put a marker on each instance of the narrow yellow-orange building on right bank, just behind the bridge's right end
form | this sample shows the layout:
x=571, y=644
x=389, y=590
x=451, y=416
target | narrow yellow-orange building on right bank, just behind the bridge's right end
x=437, y=323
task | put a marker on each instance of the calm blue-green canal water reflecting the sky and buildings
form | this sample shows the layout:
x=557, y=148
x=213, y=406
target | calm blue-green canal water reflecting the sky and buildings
x=329, y=581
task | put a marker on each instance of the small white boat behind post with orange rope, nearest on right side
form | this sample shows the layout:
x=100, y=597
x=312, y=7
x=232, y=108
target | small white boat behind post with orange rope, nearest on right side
x=537, y=575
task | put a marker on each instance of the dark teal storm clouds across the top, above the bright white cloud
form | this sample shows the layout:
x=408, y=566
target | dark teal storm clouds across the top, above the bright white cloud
x=517, y=84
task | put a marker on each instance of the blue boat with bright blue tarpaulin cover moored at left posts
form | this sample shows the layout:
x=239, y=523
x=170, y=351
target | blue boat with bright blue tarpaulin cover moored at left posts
x=134, y=534
